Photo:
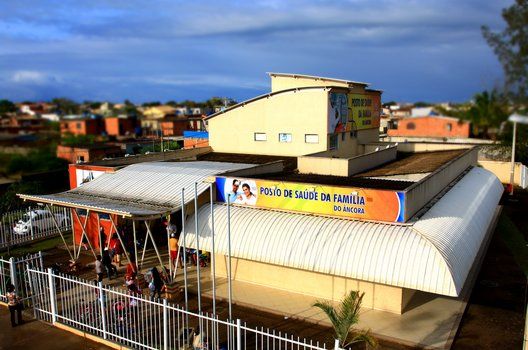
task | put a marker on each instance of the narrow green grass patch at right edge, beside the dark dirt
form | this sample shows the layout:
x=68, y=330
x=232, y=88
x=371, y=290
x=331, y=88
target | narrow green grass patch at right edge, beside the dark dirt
x=514, y=240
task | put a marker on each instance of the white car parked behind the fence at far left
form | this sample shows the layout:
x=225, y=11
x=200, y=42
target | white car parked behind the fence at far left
x=40, y=220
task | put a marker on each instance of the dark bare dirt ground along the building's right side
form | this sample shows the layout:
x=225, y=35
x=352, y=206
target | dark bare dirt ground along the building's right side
x=495, y=315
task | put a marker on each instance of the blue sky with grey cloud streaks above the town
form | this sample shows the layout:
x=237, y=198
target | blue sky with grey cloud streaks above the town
x=173, y=50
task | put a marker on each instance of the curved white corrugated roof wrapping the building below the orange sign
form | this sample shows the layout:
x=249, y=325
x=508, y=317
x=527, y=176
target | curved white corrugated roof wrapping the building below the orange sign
x=434, y=254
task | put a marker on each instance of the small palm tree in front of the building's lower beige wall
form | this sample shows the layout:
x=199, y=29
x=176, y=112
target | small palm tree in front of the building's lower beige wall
x=345, y=317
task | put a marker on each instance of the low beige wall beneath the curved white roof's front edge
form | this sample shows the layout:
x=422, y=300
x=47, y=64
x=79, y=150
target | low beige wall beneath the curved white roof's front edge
x=377, y=296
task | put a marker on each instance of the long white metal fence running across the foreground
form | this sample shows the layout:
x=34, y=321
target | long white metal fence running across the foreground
x=137, y=322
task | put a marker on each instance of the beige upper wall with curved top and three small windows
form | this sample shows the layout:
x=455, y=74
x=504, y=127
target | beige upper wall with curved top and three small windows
x=299, y=113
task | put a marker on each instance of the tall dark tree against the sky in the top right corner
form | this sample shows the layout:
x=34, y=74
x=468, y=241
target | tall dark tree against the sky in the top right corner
x=511, y=47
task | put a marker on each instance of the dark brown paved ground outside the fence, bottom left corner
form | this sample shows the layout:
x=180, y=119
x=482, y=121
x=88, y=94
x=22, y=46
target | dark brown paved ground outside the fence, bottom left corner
x=35, y=334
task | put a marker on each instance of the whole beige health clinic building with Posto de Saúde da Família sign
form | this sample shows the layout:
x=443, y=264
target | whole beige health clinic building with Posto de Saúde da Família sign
x=319, y=205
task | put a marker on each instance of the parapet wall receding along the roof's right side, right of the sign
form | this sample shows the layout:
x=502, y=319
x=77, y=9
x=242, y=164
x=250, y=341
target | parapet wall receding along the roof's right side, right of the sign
x=419, y=194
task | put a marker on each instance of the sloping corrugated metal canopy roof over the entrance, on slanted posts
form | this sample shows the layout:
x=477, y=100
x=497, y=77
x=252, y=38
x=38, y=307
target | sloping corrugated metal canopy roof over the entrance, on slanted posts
x=143, y=189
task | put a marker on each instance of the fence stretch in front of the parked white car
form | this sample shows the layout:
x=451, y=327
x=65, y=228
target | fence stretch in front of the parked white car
x=23, y=226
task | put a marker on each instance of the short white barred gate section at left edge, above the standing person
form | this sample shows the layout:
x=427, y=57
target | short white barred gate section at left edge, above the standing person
x=15, y=271
